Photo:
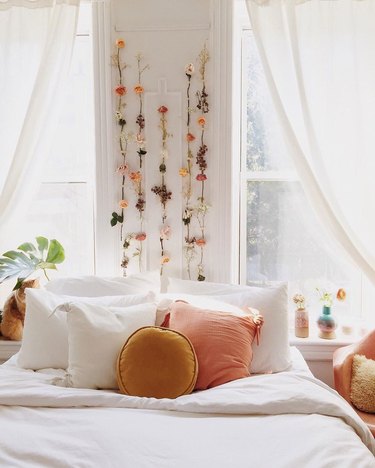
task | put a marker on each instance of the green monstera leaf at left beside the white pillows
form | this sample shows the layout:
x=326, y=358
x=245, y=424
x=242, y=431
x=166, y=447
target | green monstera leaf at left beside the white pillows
x=28, y=258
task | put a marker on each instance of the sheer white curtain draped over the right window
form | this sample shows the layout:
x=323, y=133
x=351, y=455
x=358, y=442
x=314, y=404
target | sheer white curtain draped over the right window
x=319, y=60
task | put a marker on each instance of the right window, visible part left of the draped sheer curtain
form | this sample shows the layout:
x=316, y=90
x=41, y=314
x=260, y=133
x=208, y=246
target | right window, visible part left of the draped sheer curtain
x=281, y=238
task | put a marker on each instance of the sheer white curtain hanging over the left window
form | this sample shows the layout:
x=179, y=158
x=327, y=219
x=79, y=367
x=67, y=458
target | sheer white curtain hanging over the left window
x=36, y=40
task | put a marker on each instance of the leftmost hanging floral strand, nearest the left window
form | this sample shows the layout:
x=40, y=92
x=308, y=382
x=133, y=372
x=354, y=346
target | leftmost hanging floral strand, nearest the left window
x=123, y=140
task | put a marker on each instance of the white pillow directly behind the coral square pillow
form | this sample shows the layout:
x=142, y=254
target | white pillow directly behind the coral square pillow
x=273, y=352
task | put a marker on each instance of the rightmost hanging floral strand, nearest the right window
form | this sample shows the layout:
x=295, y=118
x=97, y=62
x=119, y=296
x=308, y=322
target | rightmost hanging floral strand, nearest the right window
x=202, y=207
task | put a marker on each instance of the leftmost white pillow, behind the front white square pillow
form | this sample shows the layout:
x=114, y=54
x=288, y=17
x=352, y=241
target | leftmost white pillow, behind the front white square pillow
x=45, y=335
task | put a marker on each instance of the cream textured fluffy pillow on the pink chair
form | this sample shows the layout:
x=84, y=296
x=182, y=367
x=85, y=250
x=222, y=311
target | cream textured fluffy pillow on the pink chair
x=362, y=393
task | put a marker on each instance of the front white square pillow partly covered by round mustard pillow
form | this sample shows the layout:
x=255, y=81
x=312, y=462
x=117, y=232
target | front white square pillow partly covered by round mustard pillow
x=96, y=335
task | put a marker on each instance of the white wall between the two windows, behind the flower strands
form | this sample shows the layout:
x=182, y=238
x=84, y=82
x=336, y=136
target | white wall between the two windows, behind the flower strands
x=170, y=34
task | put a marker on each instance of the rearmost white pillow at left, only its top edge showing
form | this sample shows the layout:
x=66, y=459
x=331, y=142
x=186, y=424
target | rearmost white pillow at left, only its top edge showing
x=93, y=286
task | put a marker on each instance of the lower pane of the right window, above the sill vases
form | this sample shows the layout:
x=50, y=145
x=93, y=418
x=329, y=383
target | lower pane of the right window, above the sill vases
x=282, y=241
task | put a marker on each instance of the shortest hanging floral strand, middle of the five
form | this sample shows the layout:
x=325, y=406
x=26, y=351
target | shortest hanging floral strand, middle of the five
x=161, y=190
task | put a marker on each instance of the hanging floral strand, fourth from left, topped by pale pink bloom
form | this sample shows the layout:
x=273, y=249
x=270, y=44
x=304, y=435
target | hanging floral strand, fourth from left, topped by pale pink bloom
x=186, y=173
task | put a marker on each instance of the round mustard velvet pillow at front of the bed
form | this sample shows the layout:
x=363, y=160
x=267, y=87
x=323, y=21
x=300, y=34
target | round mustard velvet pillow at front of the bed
x=157, y=362
